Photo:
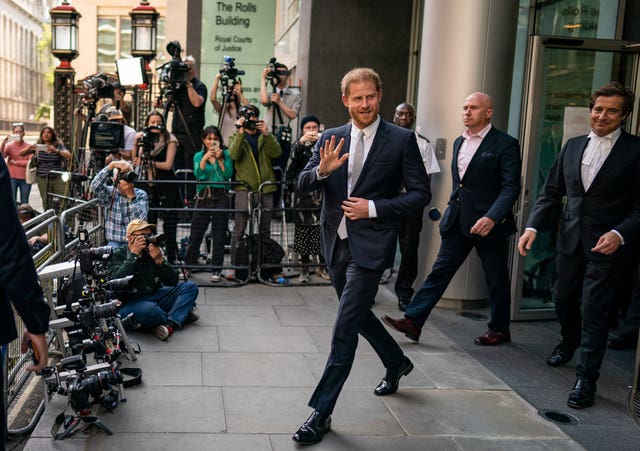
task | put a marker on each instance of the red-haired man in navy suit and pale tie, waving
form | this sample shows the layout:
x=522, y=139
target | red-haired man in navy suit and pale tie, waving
x=360, y=169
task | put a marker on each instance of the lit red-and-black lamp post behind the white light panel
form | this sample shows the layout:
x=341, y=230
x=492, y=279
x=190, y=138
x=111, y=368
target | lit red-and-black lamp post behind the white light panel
x=144, y=28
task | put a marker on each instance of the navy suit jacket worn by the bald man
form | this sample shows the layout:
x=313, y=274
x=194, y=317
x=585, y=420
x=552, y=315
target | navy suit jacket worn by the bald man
x=490, y=186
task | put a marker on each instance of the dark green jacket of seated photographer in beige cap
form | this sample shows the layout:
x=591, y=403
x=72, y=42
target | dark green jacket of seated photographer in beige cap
x=147, y=276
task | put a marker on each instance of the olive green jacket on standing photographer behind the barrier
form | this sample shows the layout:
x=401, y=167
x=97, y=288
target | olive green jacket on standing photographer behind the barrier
x=247, y=169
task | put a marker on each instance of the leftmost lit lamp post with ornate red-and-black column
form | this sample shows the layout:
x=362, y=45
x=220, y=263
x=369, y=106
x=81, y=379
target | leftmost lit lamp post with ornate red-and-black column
x=64, y=46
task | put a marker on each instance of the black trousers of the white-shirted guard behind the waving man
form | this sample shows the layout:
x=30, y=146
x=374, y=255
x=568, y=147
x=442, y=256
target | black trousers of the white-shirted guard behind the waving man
x=408, y=240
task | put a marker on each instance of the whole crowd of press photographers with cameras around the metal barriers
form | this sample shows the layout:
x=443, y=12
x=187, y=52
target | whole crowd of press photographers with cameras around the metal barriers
x=173, y=170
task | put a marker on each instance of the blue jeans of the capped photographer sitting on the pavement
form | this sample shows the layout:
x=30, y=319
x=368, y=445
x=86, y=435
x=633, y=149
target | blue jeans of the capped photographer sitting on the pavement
x=166, y=305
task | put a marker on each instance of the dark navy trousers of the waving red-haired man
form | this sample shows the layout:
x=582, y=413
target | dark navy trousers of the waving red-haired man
x=356, y=288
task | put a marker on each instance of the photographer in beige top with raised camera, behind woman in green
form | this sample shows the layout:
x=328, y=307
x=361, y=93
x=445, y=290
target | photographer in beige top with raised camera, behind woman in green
x=232, y=100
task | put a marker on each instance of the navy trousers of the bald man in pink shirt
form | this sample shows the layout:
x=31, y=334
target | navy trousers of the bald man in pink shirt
x=454, y=249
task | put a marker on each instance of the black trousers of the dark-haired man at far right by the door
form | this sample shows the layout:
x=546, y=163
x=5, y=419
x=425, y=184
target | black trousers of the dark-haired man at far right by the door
x=585, y=302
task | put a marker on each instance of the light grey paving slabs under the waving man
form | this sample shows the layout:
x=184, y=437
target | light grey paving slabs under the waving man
x=240, y=379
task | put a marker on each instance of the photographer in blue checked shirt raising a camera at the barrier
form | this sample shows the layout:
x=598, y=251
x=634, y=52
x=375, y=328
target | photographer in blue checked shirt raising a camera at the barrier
x=121, y=201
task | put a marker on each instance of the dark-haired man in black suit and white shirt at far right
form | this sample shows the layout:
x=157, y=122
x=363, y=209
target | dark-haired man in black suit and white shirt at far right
x=599, y=175
